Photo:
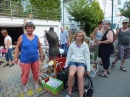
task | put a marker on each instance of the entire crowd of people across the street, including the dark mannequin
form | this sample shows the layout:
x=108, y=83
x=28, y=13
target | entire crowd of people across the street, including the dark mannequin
x=75, y=47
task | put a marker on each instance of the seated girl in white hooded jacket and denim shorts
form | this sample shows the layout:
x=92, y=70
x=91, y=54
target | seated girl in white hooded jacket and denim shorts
x=78, y=59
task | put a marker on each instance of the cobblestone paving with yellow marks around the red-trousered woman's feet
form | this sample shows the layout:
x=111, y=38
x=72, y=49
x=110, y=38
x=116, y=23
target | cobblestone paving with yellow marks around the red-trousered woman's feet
x=10, y=83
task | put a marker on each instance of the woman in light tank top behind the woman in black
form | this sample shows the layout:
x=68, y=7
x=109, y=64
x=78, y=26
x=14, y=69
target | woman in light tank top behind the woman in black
x=97, y=36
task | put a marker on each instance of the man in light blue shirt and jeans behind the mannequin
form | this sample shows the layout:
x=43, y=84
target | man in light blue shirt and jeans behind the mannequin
x=64, y=39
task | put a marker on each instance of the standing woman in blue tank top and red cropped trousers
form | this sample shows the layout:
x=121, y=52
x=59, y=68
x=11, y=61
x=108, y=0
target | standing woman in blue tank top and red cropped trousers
x=29, y=57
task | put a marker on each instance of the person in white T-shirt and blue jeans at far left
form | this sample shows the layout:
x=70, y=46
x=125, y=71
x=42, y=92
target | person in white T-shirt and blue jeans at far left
x=8, y=47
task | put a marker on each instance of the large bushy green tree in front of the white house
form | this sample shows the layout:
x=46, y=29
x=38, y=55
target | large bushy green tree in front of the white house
x=85, y=13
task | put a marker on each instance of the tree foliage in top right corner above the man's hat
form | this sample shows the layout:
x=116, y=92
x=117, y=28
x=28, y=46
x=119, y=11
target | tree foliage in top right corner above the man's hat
x=125, y=11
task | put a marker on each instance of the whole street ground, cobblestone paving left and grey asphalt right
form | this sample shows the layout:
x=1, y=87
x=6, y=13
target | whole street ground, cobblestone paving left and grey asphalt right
x=116, y=85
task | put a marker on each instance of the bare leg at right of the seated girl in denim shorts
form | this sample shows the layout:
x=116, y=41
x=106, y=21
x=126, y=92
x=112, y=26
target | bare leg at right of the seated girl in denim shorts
x=80, y=73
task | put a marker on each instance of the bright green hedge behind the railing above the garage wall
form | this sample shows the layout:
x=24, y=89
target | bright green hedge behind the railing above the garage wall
x=46, y=9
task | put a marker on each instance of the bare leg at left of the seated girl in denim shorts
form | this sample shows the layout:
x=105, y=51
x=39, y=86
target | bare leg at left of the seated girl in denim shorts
x=72, y=71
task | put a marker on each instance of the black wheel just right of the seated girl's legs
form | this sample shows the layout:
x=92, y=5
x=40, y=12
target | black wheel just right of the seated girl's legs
x=88, y=89
